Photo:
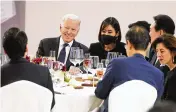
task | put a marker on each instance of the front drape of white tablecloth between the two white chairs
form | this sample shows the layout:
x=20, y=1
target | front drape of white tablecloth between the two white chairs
x=75, y=100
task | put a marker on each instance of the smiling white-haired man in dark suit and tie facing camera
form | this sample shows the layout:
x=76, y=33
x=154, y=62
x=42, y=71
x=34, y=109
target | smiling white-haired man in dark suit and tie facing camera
x=69, y=29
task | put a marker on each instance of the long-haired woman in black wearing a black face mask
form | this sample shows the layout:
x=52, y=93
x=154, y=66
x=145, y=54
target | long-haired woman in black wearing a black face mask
x=109, y=39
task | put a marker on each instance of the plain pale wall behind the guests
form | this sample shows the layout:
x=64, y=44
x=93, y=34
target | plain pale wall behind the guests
x=42, y=19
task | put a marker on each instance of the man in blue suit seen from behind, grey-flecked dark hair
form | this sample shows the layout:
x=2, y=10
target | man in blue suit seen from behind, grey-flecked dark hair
x=134, y=67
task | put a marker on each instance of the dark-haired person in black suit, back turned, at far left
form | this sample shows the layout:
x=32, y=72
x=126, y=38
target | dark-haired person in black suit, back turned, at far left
x=18, y=68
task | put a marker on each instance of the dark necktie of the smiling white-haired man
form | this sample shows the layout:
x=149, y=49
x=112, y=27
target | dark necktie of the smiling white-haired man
x=62, y=54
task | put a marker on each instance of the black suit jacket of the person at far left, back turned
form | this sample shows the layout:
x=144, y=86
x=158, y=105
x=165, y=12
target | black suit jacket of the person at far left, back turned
x=21, y=69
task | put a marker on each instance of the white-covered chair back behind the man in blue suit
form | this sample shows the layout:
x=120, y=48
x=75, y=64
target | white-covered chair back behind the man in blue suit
x=132, y=96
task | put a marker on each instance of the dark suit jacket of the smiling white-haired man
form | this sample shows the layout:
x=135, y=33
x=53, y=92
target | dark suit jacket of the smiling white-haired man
x=48, y=44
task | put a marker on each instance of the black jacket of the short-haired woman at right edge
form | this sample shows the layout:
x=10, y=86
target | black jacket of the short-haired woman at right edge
x=170, y=85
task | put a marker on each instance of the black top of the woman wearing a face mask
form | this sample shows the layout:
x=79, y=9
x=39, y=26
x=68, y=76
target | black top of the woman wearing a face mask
x=96, y=49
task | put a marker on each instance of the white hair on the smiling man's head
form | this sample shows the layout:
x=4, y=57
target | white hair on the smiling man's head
x=70, y=16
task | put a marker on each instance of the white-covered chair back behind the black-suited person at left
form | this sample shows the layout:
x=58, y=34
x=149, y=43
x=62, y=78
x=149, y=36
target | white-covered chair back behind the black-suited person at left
x=25, y=96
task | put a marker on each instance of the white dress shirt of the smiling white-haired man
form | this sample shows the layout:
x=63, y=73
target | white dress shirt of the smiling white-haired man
x=67, y=48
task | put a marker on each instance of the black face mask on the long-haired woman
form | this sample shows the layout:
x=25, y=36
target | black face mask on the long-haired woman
x=107, y=39
